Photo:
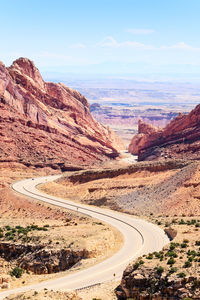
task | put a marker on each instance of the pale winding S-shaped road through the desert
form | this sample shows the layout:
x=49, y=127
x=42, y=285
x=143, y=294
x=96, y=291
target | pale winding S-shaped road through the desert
x=140, y=237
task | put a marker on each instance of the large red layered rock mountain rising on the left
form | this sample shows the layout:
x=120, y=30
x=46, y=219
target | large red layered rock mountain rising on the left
x=43, y=123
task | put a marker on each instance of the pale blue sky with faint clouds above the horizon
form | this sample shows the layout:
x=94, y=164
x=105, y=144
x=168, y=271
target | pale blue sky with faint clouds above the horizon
x=103, y=36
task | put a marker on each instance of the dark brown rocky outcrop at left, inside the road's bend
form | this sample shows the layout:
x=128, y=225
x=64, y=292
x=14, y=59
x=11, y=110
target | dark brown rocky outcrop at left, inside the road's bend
x=41, y=259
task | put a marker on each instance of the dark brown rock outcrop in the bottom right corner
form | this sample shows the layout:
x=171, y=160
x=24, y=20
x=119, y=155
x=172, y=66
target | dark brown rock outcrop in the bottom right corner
x=146, y=284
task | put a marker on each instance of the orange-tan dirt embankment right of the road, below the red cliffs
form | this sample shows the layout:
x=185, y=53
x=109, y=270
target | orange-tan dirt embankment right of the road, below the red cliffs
x=164, y=187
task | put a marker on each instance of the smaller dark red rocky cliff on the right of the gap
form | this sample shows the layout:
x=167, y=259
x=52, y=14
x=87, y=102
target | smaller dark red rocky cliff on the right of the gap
x=179, y=139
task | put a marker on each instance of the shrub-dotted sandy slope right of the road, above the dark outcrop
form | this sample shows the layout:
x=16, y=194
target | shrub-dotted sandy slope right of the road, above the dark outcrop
x=180, y=259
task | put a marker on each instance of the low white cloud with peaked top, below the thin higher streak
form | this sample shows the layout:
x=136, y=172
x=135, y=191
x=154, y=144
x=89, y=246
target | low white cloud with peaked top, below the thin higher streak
x=109, y=41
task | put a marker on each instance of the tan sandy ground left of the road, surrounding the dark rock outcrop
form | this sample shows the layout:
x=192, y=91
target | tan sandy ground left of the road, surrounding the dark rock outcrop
x=65, y=229
